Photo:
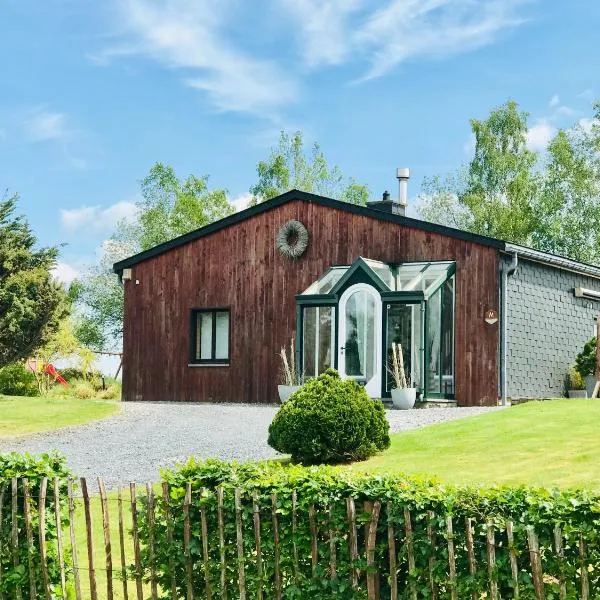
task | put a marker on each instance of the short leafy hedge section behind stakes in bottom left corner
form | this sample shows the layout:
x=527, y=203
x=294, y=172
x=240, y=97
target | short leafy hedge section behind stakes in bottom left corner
x=34, y=469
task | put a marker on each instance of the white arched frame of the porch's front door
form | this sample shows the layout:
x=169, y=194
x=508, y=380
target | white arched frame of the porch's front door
x=373, y=386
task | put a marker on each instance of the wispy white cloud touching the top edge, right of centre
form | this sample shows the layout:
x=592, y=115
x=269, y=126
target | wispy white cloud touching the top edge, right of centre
x=408, y=29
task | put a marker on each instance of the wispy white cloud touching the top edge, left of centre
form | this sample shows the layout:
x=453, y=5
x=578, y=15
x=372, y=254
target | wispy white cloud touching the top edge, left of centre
x=188, y=35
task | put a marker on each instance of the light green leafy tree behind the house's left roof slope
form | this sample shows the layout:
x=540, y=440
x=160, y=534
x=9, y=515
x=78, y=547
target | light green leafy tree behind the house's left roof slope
x=169, y=207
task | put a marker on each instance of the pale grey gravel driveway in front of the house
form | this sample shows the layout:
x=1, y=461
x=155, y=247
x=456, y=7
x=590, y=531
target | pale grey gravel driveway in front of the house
x=134, y=444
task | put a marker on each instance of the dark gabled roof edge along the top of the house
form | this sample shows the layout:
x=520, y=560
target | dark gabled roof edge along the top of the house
x=550, y=259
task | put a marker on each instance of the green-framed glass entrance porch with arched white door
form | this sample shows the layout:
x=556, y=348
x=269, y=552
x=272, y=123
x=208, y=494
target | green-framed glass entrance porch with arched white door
x=350, y=317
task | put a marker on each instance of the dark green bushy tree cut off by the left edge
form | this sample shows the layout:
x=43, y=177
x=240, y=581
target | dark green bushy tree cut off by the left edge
x=32, y=304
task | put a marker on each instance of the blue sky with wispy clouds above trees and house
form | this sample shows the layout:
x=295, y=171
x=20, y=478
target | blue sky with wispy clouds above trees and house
x=93, y=93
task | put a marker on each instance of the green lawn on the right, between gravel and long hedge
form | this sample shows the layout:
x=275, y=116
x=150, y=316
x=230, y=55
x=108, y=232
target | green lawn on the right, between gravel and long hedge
x=553, y=443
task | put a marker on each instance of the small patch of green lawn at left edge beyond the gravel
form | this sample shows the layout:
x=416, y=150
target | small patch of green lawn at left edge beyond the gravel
x=22, y=415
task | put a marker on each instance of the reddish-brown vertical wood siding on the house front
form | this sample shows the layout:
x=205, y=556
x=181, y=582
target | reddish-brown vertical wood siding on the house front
x=239, y=268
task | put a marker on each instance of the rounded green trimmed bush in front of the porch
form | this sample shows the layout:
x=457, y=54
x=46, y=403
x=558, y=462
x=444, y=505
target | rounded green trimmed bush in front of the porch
x=330, y=420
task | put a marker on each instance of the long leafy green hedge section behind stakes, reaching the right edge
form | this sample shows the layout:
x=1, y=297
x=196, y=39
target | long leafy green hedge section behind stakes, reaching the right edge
x=295, y=500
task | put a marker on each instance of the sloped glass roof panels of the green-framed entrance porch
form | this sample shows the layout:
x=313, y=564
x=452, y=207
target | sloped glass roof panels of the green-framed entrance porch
x=423, y=277
